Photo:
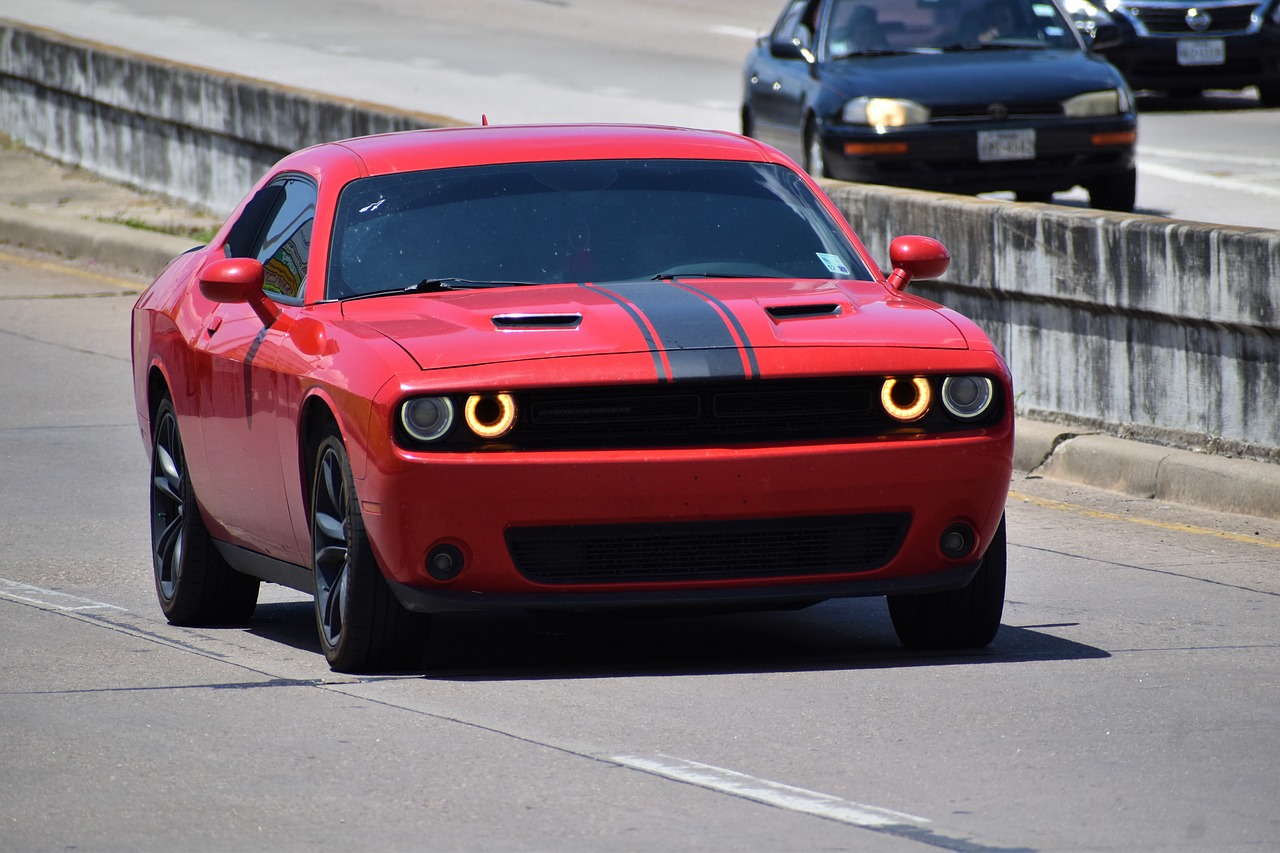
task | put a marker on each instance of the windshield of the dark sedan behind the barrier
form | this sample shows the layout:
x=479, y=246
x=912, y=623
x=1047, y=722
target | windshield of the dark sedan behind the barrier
x=862, y=28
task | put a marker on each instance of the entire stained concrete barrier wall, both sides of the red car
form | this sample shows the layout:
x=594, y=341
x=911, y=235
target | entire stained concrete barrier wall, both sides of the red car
x=1137, y=326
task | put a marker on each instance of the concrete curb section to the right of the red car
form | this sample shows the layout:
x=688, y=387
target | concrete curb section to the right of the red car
x=1149, y=471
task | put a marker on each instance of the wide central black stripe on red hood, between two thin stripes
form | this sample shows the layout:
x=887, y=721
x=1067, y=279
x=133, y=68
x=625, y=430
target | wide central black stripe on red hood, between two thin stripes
x=698, y=343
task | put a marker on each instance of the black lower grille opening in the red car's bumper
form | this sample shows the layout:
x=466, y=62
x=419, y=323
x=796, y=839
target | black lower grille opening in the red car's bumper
x=707, y=550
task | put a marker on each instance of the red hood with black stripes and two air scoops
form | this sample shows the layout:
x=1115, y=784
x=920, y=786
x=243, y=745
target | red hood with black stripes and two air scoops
x=682, y=326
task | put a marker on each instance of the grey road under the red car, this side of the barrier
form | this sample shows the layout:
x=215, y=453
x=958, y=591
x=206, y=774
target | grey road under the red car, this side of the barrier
x=1130, y=703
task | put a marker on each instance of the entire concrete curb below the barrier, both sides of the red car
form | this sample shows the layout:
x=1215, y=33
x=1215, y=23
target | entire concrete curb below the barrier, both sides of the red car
x=1040, y=449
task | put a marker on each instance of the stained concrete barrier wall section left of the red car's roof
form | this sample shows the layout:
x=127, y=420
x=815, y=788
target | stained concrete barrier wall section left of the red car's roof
x=185, y=133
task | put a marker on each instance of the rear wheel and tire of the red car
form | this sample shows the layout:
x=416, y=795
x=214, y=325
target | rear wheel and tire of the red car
x=194, y=583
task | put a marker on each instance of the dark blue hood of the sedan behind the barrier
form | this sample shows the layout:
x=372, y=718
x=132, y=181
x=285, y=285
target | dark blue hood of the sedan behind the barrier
x=967, y=77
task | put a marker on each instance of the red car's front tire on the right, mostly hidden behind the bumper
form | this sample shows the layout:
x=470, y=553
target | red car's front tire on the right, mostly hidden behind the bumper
x=966, y=618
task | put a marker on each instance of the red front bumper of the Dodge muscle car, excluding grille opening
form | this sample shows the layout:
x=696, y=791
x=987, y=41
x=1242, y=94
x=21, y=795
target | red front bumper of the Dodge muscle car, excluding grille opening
x=473, y=503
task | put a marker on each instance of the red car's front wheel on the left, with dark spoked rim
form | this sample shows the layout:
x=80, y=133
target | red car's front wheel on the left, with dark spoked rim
x=363, y=627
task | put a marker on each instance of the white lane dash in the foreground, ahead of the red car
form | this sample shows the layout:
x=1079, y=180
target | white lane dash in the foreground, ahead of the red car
x=762, y=791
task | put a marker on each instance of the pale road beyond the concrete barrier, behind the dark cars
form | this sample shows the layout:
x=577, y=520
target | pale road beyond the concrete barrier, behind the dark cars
x=674, y=62
